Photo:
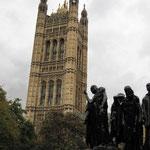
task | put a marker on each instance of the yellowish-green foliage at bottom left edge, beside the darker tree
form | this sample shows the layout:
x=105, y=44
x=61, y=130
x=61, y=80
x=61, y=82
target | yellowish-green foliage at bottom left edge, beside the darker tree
x=9, y=131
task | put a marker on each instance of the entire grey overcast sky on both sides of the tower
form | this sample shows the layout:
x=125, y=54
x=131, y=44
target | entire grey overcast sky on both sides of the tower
x=119, y=44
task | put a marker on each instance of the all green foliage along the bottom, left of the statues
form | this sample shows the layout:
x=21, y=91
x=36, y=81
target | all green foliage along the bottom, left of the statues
x=59, y=131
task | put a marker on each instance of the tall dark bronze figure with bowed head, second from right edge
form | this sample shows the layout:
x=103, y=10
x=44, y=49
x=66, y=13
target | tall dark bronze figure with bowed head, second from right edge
x=133, y=121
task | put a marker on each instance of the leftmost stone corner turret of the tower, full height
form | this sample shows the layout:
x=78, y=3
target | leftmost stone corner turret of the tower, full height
x=36, y=59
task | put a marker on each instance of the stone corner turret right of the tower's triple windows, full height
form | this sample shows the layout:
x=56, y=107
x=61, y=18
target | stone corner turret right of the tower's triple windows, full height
x=71, y=56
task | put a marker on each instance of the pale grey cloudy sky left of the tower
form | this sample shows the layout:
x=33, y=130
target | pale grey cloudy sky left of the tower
x=16, y=40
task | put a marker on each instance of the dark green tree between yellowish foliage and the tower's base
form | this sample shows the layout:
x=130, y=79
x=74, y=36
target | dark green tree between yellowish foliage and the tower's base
x=27, y=137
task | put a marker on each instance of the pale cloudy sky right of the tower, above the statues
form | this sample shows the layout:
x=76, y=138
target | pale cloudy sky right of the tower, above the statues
x=119, y=45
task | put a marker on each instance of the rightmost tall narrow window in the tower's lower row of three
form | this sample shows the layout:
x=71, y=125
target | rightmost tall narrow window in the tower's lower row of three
x=58, y=92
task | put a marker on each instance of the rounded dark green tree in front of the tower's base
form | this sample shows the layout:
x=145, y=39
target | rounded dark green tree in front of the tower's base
x=62, y=132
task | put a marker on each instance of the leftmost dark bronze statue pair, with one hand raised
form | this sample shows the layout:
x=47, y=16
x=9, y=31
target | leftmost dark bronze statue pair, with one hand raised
x=96, y=118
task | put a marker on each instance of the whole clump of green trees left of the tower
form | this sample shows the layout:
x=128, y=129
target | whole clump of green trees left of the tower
x=15, y=132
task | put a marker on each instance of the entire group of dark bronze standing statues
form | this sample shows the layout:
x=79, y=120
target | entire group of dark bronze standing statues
x=126, y=121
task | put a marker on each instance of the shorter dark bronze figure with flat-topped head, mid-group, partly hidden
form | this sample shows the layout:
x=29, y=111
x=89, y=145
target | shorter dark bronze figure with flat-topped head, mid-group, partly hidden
x=116, y=118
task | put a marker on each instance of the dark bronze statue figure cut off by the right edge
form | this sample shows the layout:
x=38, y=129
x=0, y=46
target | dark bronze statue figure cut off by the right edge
x=146, y=115
